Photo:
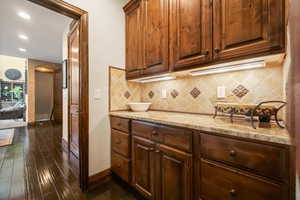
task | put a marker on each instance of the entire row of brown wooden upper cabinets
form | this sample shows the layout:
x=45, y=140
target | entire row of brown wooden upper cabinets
x=173, y=35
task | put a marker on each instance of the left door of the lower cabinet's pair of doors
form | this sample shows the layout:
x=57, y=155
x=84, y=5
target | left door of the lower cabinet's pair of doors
x=143, y=166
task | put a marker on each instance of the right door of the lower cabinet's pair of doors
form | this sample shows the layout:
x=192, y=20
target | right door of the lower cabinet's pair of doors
x=174, y=174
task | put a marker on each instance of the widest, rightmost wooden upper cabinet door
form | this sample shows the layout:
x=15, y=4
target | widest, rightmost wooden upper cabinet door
x=247, y=27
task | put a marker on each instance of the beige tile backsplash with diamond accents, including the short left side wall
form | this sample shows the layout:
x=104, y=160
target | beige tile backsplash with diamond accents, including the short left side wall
x=197, y=94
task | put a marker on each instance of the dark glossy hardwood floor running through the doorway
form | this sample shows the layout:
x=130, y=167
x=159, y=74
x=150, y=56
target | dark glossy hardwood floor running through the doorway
x=35, y=167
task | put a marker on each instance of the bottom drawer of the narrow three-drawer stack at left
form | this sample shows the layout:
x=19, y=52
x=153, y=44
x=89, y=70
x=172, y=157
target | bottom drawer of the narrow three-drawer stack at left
x=120, y=166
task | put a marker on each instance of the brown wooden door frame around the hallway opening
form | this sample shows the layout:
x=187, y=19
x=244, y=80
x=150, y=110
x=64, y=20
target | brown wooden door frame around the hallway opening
x=76, y=13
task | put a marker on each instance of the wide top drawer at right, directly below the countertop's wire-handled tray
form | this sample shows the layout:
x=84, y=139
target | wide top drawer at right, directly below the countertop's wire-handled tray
x=262, y=159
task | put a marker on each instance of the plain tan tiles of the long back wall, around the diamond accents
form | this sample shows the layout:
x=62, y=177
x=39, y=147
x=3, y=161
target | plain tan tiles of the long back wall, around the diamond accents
x=262, y=85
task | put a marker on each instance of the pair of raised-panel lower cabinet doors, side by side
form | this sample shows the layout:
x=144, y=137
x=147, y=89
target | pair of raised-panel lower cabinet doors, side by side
x=161, y=172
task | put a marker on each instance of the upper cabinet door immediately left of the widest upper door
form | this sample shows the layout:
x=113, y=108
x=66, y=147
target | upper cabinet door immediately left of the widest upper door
x=190, y=33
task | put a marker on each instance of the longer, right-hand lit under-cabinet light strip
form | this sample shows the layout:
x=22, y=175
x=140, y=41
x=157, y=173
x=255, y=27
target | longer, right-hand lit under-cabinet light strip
x=229, y=68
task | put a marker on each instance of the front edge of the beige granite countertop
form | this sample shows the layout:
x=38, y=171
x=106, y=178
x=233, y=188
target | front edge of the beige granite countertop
x=283, y=139
